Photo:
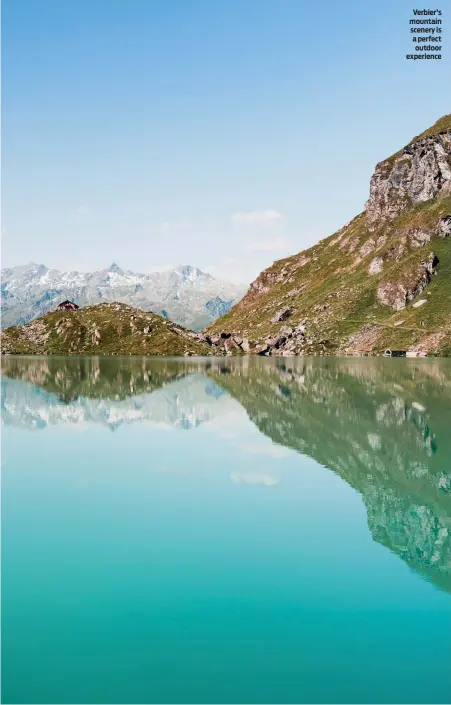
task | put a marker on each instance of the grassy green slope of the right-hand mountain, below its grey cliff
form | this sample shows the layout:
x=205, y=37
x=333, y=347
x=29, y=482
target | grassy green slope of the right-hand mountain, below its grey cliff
x=334, y=276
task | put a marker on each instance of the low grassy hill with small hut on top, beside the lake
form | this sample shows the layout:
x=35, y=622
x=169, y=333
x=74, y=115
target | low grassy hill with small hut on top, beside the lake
x=104, y=329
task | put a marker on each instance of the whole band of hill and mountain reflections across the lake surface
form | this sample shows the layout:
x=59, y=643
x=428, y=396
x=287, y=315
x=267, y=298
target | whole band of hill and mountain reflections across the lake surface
x=383, y=426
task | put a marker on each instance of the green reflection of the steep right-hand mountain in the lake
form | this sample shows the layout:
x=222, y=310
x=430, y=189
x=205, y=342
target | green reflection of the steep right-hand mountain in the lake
x=383, y=426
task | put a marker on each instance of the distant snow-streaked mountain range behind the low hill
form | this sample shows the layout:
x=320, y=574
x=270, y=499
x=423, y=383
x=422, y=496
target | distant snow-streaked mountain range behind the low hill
x=185, y=295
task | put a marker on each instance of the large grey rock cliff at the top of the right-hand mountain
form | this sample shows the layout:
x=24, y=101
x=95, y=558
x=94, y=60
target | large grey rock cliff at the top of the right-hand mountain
x=421, y=171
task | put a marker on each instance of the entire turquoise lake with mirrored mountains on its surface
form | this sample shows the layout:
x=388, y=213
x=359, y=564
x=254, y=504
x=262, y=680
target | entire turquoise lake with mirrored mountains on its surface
x=226, y=531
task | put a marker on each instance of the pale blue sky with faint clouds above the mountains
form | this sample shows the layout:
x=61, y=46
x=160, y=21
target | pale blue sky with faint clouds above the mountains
x=220, y=133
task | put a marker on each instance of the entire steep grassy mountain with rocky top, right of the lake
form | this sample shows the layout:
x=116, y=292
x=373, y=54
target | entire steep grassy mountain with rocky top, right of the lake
x=382, y=281
